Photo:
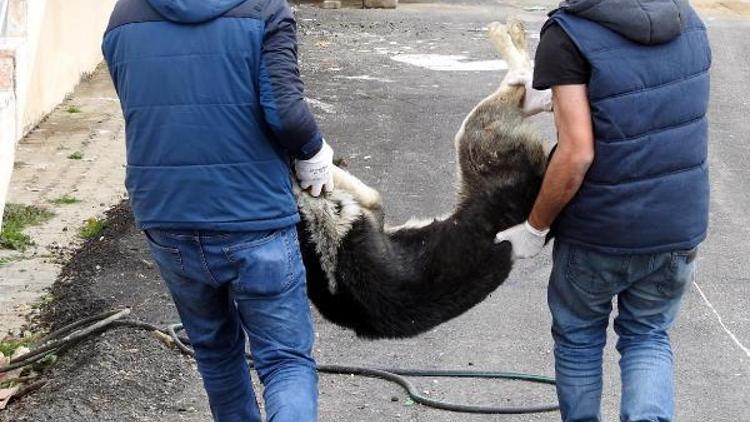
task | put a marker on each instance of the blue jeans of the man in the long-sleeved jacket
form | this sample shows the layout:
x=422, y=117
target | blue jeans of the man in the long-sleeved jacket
x=227, y=286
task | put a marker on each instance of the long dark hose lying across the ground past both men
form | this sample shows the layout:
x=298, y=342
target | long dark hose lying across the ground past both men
x=72, y=334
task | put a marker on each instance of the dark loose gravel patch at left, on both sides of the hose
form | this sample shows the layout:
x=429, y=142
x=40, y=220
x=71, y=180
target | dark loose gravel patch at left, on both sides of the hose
x=124, y=374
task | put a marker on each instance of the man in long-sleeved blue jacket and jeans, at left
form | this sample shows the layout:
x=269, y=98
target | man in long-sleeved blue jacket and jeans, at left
x=214, y=112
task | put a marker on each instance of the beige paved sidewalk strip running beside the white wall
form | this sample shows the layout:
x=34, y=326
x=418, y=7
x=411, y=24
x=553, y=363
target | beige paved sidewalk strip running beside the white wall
x=90, y=124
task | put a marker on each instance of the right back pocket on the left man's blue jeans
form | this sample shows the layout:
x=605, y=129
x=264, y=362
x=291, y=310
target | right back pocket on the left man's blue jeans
x=265, y=264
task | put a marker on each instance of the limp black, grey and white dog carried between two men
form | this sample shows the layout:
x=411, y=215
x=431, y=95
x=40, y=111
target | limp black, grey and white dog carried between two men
x=402, y=281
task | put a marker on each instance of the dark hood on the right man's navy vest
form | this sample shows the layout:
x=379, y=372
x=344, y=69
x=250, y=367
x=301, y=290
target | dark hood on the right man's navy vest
x=646, y=22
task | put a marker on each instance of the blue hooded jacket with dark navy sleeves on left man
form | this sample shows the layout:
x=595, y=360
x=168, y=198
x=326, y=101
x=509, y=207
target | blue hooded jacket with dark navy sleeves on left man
x=214, y=109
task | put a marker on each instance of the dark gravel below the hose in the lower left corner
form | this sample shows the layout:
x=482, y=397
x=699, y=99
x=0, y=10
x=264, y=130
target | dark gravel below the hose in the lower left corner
x=121, y=376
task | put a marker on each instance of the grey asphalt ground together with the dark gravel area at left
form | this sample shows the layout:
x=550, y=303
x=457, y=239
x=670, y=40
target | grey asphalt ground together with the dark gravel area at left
x=389, y=101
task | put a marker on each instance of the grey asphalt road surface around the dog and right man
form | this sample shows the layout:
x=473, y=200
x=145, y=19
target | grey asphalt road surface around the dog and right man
x=395, y=121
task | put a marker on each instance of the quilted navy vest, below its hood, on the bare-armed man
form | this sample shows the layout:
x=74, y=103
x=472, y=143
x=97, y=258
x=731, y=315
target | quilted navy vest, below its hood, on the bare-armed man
x=647, y=190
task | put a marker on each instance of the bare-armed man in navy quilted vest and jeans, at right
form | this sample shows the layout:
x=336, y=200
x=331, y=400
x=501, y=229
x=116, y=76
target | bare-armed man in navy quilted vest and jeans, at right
x=627, y=190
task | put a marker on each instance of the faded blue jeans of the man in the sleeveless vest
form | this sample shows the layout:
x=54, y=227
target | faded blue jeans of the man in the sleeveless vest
x=649, y=289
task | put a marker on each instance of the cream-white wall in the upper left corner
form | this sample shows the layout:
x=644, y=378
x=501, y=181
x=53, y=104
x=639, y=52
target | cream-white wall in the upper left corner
x=51, y=44
